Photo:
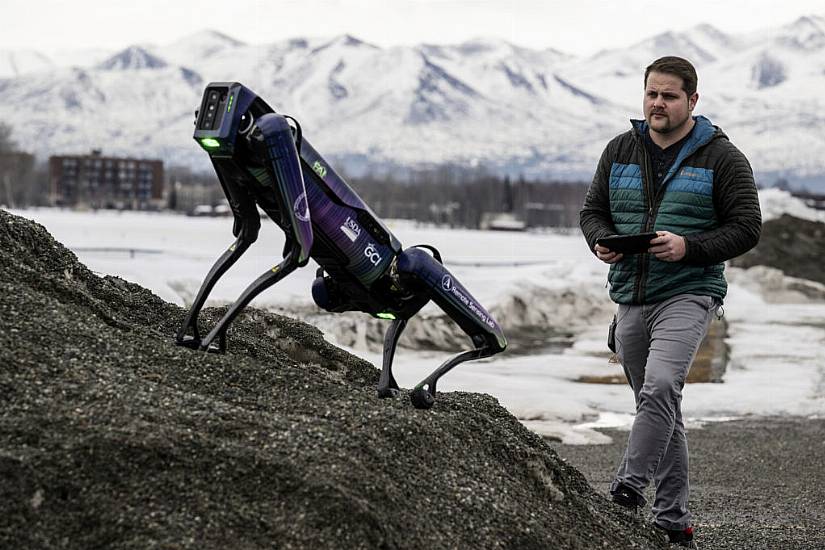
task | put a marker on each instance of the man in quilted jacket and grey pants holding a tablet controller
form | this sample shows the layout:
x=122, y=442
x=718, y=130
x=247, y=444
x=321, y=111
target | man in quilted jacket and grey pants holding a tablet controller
x=680, y=176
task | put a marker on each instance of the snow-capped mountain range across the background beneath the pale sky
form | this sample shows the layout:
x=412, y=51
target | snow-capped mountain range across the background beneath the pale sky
x=482, y=102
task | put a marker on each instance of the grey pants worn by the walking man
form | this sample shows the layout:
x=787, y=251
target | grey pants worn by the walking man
x=656, y=344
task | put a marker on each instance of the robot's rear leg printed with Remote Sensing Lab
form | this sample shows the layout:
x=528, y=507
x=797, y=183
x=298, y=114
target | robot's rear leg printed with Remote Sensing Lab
x=419, y=270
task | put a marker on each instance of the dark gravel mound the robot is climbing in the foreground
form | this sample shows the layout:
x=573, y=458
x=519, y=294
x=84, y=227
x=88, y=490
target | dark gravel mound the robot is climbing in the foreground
x=113, y=437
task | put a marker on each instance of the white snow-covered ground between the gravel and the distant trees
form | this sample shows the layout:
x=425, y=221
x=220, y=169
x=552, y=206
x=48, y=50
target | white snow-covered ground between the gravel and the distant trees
x=776, y=335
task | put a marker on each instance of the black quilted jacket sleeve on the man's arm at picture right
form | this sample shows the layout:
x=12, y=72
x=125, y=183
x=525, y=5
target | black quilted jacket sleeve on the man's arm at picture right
x=737, y=207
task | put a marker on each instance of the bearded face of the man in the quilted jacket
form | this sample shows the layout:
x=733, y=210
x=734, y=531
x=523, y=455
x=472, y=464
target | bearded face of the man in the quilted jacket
x=667, y=106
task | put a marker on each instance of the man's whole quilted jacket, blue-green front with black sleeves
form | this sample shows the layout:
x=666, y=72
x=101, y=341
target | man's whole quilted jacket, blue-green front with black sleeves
x=708, y=197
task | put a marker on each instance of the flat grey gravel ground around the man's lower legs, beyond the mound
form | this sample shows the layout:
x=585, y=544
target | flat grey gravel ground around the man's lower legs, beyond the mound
x=755, y=483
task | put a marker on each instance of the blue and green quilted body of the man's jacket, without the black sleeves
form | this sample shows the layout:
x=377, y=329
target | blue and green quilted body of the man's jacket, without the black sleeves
x=682, y=205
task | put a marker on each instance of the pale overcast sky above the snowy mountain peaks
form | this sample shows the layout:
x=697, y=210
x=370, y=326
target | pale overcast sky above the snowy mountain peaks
x=574, y=26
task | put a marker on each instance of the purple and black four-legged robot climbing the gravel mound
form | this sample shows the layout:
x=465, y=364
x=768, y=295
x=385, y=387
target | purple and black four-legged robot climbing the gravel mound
x=263, y=161
